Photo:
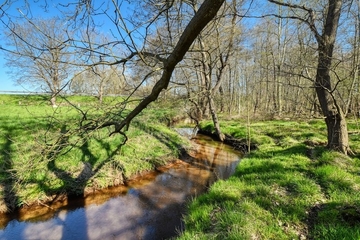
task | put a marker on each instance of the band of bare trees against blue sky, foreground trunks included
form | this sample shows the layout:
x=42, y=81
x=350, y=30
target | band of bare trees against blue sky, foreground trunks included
x=288, y=59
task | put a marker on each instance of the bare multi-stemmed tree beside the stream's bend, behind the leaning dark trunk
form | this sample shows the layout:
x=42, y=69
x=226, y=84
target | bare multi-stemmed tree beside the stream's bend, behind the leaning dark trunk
x=204, y=67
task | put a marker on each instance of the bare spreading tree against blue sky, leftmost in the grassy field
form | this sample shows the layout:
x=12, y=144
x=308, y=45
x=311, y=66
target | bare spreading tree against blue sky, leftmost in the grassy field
x=38, y=54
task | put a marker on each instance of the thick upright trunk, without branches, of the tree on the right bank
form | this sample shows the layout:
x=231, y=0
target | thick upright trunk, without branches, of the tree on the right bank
x=334, y=116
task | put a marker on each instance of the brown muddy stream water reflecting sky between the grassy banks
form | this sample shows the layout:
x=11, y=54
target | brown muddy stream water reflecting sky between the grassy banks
x=148, y=208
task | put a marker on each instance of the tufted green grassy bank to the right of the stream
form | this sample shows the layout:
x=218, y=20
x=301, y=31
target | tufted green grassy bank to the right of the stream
x=290, y=188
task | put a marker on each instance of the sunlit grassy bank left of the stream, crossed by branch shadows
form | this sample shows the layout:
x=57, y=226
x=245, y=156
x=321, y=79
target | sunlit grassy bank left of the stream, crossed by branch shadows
x=42, y=156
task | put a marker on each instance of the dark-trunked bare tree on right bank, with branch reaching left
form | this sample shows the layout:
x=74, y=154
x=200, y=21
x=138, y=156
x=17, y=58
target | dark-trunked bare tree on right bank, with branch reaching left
x=334, y=116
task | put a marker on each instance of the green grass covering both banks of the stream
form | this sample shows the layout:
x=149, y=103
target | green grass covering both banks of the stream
x=291, y=187
